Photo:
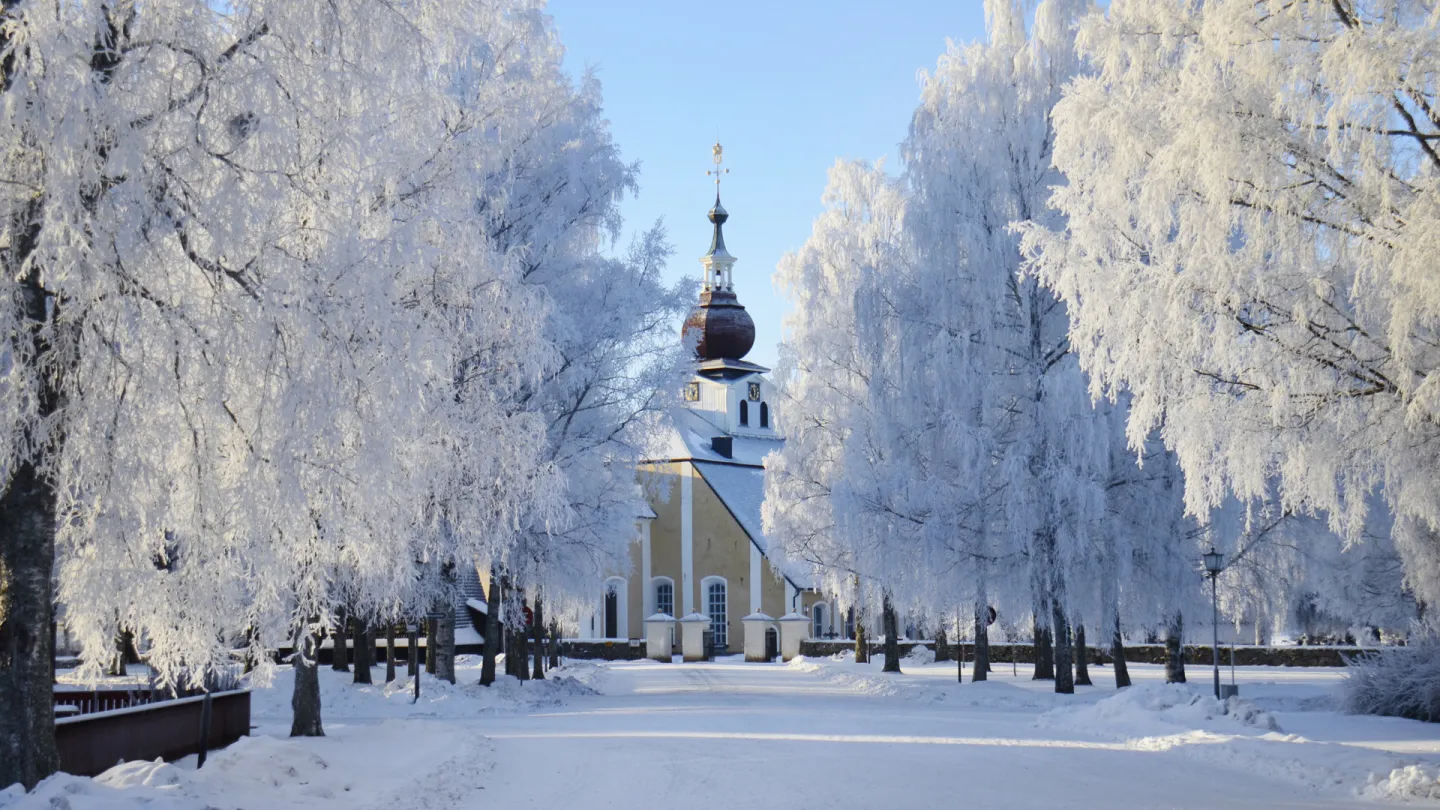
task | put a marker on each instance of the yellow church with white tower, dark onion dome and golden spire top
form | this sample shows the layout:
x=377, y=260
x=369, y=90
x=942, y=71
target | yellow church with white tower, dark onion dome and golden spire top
x=702, y=550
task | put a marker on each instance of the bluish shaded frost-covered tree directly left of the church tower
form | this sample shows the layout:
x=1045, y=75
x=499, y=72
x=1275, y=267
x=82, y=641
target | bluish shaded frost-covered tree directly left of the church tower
x=551, y=208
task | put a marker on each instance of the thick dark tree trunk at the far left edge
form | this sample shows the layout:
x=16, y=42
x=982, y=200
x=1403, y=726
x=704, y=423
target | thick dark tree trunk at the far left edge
x=28, y=752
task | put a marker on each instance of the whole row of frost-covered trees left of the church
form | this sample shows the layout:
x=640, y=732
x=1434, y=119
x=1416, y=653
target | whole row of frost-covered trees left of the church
x=302, y=313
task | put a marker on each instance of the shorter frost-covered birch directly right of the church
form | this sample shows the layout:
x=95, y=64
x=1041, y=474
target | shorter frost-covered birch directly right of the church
x=826, y=498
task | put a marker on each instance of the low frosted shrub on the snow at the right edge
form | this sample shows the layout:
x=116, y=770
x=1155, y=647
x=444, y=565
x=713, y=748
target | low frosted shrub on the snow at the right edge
x=1402, y=682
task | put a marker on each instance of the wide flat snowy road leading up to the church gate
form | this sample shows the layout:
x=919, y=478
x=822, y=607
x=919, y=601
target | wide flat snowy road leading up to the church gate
x=754, y=736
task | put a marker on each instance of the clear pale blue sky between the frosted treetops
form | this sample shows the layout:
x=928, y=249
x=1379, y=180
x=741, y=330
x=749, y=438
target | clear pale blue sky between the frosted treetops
x=791, y=86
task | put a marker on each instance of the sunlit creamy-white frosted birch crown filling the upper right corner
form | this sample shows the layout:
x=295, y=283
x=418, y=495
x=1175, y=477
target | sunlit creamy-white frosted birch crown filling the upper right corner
x=1251, y=230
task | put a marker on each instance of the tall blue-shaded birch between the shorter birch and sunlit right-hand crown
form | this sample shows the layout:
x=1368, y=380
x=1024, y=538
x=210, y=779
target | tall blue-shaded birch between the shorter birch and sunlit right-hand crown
x=977, y=161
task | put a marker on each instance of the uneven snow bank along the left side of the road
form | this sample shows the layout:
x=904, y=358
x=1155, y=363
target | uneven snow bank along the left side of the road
x=378, y=743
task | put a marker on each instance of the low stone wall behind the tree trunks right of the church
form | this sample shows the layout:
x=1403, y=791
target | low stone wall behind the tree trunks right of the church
x=1134, y=654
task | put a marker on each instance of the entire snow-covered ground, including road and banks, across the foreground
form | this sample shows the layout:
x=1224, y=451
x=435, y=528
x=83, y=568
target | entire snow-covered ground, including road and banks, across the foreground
x=827, y=731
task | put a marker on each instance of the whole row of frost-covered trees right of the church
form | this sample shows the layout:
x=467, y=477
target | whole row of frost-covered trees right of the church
x=1120, y=308
